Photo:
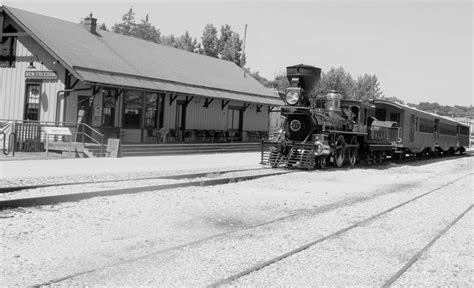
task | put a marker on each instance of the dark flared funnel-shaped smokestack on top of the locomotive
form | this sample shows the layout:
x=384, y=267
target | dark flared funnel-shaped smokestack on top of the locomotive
x=307, y=75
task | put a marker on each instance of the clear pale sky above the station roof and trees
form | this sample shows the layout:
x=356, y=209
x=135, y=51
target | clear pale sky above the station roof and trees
x=421, y=51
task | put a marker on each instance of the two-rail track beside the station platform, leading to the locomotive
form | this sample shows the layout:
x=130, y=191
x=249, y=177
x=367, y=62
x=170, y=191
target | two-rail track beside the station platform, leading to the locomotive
x=72, y=197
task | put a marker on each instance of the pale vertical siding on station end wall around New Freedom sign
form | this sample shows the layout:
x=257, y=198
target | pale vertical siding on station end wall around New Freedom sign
x=12, y=88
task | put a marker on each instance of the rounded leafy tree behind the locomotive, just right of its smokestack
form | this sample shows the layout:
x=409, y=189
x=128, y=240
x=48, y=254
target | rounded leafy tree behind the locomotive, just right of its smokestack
x=335, y=79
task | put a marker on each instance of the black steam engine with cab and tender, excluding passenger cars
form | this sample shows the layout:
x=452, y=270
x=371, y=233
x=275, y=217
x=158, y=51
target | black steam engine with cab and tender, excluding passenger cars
x=325, y=129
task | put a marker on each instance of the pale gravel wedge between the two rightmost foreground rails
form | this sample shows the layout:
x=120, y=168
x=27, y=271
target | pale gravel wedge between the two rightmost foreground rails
x=371, y=254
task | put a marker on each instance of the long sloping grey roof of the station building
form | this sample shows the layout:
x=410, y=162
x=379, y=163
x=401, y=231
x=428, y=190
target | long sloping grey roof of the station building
x=114, y=59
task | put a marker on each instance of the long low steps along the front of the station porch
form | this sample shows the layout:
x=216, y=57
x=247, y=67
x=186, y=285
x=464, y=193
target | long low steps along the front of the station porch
x=135, y=150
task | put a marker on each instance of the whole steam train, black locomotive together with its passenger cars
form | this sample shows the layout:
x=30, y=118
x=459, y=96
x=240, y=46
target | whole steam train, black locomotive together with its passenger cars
x=323, y=130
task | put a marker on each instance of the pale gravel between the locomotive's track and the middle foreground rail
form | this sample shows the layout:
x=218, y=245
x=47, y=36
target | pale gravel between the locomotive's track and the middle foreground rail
x=48, y=242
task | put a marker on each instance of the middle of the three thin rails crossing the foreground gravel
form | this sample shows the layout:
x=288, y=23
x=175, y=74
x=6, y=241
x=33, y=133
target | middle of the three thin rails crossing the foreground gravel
x=274, y=260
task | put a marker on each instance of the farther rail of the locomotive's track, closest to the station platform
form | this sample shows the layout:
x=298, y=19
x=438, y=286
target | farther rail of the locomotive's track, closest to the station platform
x=178, y=176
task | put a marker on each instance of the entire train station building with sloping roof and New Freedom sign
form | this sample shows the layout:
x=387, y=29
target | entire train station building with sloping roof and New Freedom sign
x=55, y=71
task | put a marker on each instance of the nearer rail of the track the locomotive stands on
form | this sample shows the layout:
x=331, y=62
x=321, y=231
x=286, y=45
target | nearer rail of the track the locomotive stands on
x=54, y=199
